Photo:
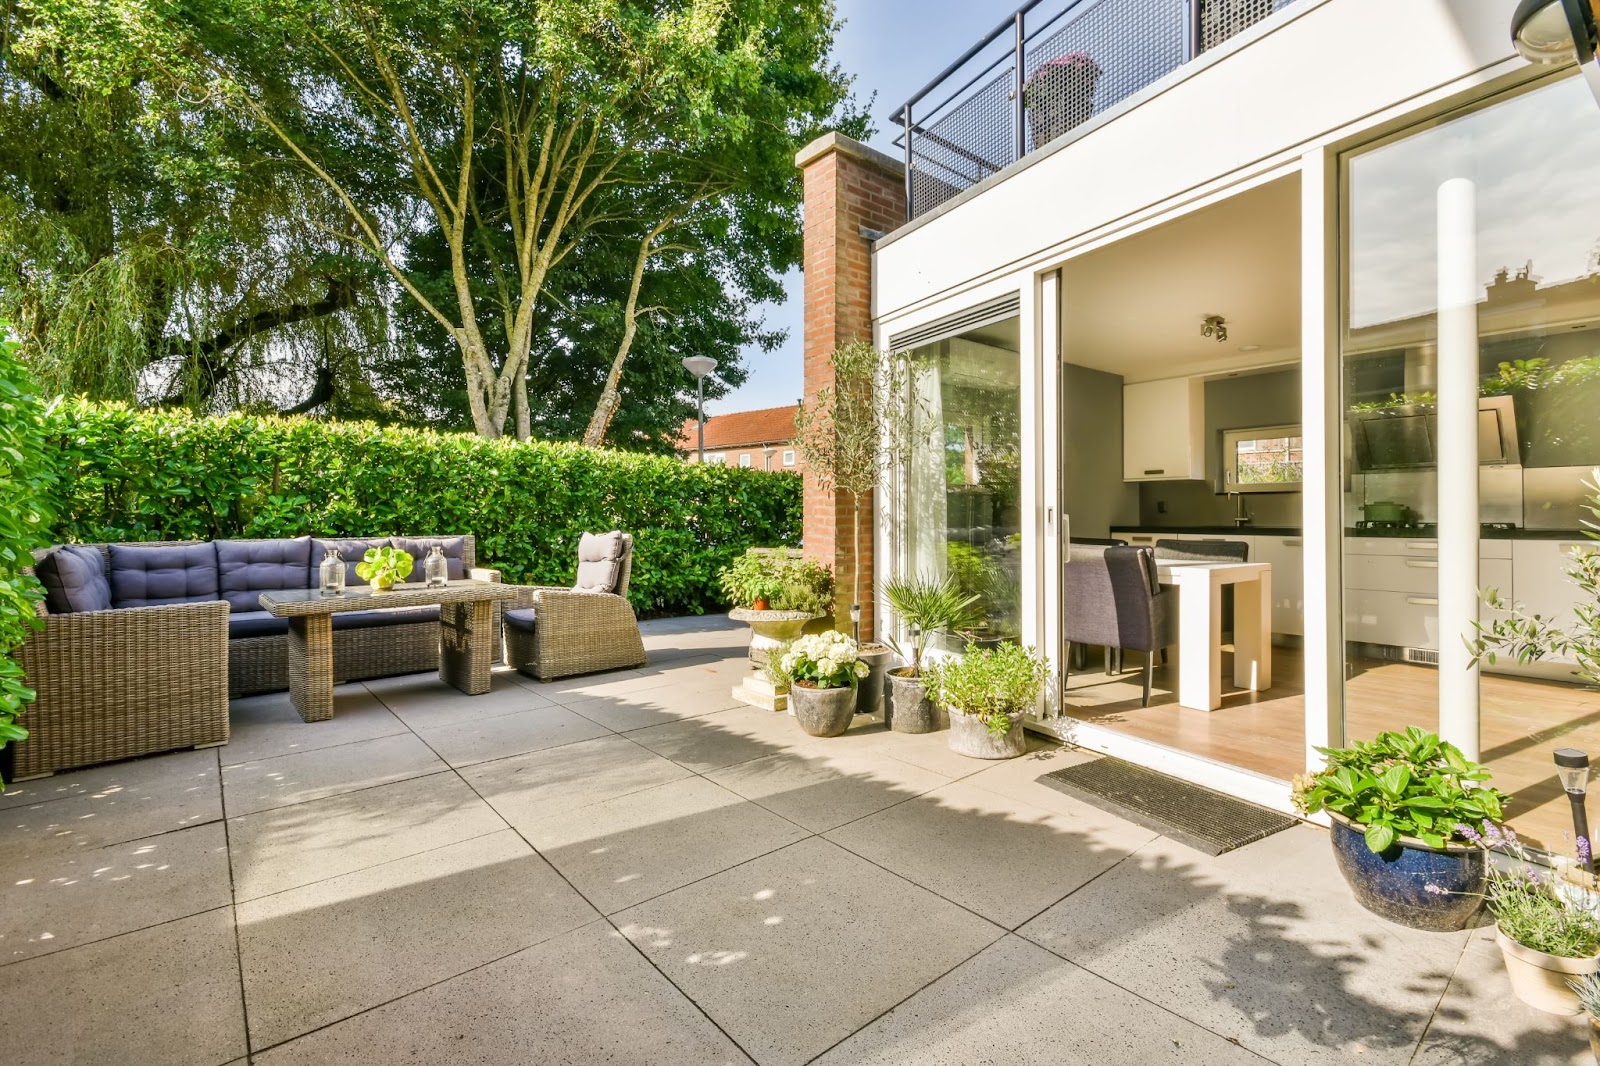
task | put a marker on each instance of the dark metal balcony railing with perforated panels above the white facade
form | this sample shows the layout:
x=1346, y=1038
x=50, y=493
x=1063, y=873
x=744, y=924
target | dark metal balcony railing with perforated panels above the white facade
x=1049, y=68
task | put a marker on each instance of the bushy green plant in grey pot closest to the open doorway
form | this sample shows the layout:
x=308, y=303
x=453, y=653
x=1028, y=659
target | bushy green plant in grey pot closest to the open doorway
x=988, y=692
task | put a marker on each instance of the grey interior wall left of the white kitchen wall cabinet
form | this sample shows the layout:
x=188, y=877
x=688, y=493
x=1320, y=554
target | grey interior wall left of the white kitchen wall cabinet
x=1094, y=497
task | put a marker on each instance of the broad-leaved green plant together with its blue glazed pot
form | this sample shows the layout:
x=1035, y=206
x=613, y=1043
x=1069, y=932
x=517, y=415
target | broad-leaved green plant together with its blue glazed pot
x=1398, y=804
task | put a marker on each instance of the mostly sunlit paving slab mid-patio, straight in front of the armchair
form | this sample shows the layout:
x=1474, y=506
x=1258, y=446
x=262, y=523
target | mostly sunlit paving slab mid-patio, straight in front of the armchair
x=546, y=783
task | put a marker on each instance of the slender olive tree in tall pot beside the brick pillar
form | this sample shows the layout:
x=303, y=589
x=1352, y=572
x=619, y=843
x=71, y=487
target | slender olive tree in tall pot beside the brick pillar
x=852, y=433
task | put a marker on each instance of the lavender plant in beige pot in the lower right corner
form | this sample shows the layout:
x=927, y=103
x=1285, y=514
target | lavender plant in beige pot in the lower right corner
x=1545, y=939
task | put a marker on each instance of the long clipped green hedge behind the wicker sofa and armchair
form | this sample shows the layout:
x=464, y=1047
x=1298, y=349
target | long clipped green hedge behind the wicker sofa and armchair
x=142, y=476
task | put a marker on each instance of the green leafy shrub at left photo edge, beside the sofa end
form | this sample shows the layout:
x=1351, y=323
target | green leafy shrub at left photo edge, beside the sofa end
x=26, y=481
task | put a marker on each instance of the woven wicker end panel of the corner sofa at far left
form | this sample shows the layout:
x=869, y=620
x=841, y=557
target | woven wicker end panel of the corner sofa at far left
x=124, y=683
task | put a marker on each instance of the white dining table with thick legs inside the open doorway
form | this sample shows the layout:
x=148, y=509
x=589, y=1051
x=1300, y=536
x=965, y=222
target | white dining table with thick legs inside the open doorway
x=1201, y=627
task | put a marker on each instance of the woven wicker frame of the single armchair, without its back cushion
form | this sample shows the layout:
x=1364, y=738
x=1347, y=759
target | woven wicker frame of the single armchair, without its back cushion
x=558, y=633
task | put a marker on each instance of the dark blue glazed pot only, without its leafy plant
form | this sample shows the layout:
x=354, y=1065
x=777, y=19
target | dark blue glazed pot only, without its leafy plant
x=1391, y=884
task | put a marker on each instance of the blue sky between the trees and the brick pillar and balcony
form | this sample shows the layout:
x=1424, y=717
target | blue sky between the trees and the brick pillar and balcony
x=894, y=47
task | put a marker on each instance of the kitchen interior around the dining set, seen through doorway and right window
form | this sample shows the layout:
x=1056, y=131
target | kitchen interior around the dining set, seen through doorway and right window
x=1209, y=433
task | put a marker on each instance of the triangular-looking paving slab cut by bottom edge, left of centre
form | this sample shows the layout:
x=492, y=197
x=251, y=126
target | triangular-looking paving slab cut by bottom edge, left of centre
x=582, y=1000
